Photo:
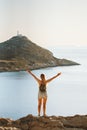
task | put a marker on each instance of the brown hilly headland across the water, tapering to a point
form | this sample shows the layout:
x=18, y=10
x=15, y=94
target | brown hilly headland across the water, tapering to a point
x=20, y=53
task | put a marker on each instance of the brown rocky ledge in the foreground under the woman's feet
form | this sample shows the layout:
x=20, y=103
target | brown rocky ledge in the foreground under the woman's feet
x=30, y=122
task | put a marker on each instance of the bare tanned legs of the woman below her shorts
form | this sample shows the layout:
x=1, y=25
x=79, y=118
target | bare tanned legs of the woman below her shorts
x=40, y=104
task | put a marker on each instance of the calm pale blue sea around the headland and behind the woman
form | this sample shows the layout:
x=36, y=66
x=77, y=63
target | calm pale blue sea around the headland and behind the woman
x=67, y=94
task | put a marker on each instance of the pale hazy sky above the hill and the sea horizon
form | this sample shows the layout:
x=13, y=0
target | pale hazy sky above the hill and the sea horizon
x=45, y=22
